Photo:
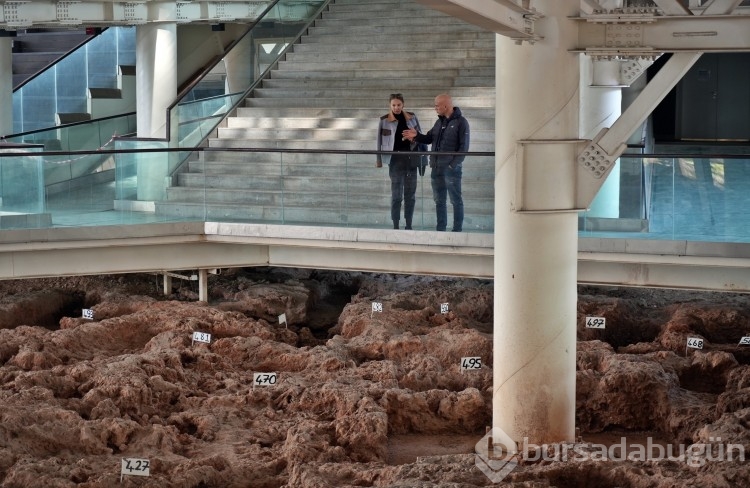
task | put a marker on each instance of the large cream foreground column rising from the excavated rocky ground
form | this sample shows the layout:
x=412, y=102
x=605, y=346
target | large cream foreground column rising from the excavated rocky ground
x=535, y=253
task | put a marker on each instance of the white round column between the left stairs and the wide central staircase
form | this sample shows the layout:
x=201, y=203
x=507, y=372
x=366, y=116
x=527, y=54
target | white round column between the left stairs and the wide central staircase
x=156, y=89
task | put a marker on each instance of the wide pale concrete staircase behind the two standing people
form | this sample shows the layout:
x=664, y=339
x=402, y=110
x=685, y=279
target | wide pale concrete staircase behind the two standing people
x=328, y=94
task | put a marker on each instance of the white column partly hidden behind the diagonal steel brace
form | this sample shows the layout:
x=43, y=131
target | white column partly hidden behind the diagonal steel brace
x=601, y=105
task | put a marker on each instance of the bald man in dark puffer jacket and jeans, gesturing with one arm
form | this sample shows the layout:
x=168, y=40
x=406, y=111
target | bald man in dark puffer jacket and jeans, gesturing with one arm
x=449, y=134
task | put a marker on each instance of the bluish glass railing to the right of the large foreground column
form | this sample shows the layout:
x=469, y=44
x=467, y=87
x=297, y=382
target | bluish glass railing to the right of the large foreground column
x=692, y=198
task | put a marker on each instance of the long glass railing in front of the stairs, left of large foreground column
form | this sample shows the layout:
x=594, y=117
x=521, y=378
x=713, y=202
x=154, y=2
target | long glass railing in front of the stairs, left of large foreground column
x=303, y=187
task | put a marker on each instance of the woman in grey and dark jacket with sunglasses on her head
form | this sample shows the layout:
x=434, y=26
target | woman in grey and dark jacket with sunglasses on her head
x=402, y=168
